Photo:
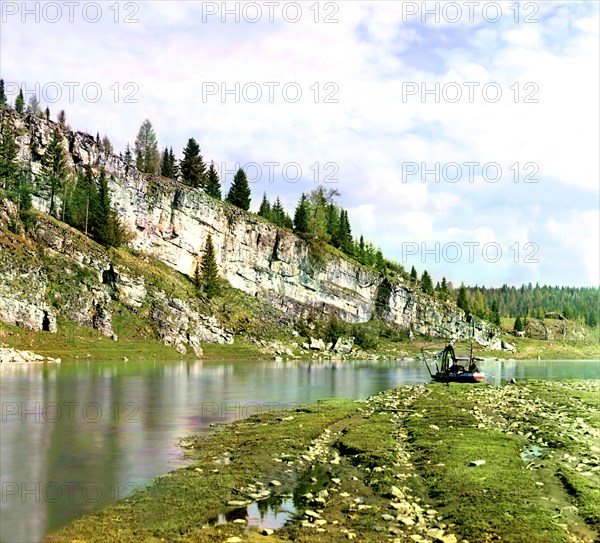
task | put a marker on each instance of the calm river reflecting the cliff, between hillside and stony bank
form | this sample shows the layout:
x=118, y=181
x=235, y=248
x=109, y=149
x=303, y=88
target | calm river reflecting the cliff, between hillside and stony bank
x=75, y=437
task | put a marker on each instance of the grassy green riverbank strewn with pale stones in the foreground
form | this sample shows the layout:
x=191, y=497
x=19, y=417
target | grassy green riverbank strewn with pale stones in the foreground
x=378, y=469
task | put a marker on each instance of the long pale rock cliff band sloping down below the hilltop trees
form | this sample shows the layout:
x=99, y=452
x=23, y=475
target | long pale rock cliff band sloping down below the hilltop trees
x=172, y=222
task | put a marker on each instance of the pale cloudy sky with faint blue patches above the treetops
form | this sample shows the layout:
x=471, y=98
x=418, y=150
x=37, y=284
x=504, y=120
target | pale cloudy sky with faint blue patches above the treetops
x=462, y=137
